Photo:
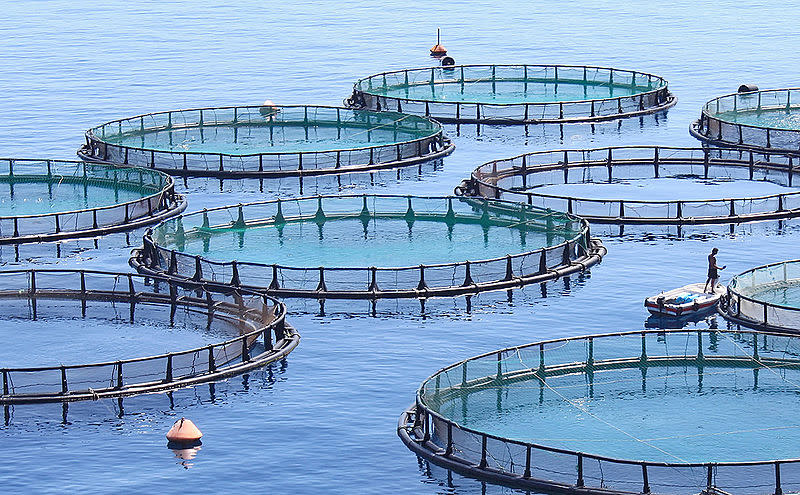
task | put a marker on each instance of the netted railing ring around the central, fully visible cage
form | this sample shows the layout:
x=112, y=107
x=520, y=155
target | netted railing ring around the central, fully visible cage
x=422, y=281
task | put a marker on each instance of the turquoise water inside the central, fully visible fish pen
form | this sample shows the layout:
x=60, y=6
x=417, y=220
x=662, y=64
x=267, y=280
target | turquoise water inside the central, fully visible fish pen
x=383, y=242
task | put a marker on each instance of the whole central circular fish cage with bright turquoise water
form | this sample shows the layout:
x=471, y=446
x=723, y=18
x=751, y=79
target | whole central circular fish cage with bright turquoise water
x=370, y=246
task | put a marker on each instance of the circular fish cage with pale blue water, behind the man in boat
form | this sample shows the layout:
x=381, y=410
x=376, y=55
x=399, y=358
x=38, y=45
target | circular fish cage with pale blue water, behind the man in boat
x=622, y=185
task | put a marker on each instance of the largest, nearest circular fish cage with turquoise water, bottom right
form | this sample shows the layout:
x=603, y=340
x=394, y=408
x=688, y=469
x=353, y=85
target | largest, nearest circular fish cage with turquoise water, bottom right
x=667, y=411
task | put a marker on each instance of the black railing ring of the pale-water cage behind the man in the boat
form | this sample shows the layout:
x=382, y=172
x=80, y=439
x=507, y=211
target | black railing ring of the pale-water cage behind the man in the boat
x=519, y=177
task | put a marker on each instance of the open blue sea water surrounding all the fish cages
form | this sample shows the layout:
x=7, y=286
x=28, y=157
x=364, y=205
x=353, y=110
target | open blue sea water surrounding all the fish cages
x=324, y=421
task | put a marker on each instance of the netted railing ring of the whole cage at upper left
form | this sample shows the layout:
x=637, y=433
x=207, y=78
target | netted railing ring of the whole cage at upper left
x=430, y=144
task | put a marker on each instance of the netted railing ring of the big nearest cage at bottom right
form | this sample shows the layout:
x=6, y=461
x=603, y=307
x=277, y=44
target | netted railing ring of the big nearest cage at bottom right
x=538, y=467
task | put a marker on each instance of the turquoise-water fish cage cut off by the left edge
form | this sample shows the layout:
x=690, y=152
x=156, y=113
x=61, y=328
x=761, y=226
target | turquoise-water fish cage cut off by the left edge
x=50, y=200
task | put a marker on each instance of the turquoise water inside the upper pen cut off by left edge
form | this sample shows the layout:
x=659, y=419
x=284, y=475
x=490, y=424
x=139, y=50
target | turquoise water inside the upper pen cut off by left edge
x=33, y=198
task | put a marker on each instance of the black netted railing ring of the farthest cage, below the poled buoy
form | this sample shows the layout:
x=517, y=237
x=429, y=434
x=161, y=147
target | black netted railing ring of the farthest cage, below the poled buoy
x=653, y=97
